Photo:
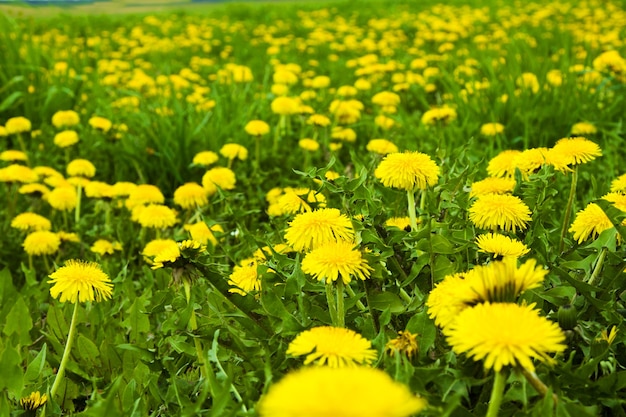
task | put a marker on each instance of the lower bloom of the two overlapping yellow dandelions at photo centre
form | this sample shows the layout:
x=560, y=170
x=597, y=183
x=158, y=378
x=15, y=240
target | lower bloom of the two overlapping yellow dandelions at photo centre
x=333, y=260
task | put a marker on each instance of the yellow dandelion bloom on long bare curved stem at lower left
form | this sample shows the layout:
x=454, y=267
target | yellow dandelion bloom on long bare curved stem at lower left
x=80, y=280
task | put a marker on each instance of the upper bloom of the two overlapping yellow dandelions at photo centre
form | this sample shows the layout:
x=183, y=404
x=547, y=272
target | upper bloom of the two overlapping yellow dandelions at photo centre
x=313, y=229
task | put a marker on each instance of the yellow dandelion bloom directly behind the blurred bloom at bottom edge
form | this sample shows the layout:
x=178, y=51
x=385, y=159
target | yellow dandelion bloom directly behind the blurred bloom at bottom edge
x=332, y=346
